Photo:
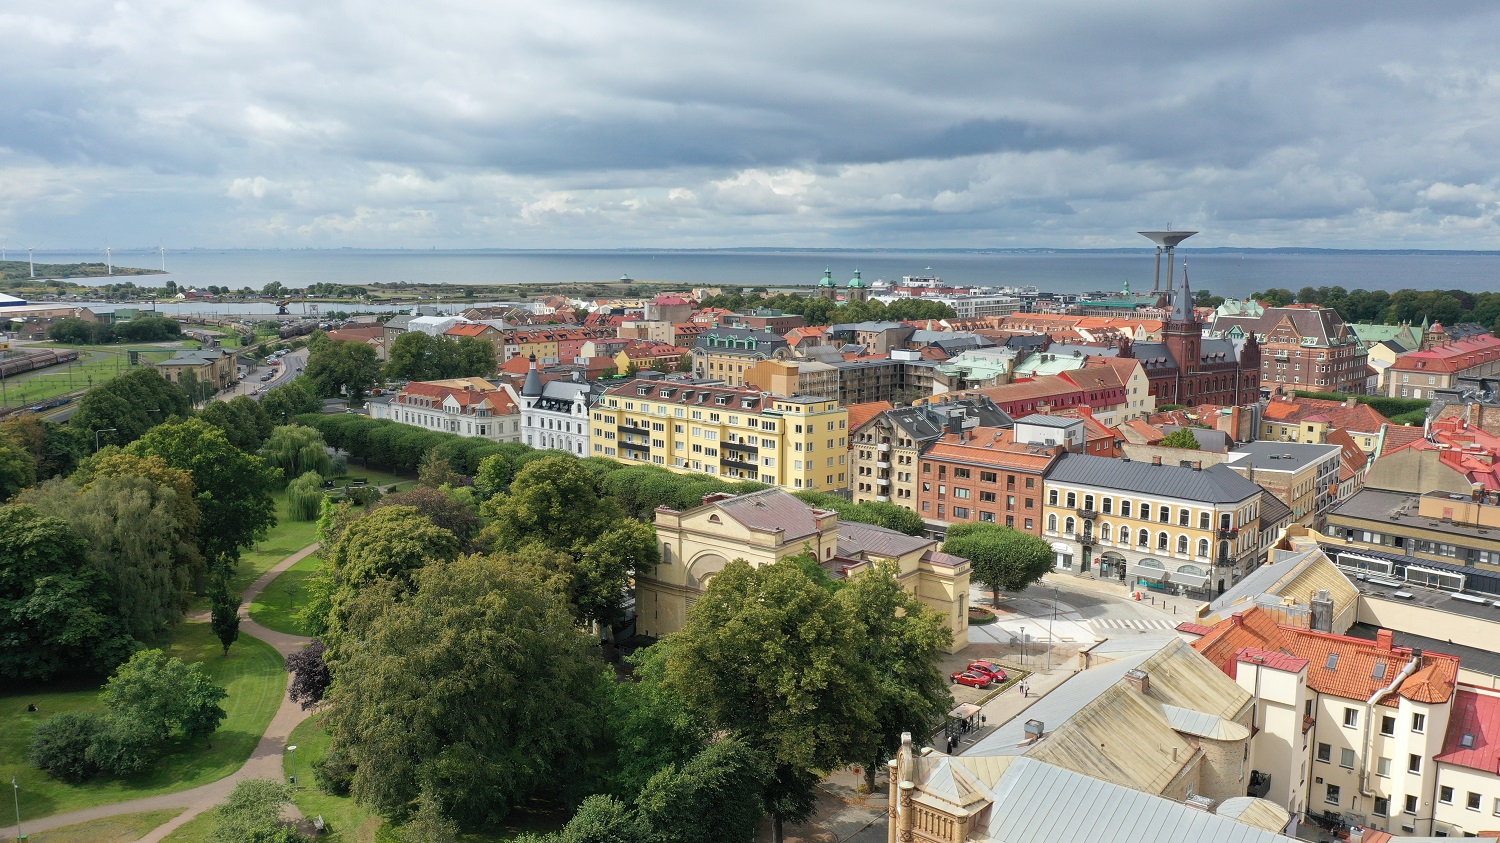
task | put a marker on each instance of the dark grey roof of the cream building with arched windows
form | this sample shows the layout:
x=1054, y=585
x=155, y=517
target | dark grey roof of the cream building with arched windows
x=1214, y=485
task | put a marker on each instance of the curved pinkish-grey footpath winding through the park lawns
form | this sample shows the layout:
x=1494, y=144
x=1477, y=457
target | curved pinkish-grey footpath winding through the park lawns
x=266, y=761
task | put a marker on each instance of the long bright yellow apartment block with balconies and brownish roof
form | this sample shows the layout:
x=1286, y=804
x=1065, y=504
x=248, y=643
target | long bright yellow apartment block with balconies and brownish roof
x=790, y=442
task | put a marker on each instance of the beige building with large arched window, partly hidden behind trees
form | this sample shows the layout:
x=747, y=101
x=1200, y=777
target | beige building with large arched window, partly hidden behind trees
x=772, y=526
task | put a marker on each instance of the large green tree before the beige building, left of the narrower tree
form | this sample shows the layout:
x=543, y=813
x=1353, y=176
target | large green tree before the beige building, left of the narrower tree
x=766, y=656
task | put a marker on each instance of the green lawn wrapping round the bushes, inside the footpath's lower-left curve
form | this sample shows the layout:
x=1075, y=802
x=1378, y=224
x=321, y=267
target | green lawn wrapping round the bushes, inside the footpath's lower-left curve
x=254, y=674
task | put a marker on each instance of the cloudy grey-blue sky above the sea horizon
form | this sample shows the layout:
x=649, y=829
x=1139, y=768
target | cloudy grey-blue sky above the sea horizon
x=608, y=124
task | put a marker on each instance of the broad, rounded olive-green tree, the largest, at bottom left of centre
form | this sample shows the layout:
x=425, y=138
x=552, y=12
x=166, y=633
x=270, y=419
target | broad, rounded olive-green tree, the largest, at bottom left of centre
x=478, y=689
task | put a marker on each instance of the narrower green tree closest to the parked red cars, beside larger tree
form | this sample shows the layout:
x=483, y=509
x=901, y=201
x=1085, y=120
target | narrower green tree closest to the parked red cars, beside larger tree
x=902, y=641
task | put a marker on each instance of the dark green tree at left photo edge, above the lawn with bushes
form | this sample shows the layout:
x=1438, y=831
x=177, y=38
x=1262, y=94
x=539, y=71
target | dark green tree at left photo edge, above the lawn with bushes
x=56, y=610
